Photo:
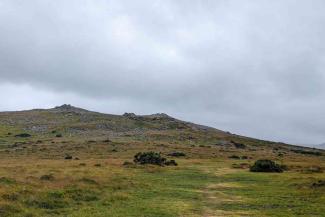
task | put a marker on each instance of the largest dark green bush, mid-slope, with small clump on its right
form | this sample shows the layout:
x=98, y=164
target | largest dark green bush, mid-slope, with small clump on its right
x=152, y=158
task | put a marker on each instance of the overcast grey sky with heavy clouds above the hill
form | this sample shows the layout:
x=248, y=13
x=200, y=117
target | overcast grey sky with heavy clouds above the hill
x=253, y=67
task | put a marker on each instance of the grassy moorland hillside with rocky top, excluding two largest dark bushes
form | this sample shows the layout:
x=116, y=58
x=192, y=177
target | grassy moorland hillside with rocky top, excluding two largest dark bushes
x=68, y=161
